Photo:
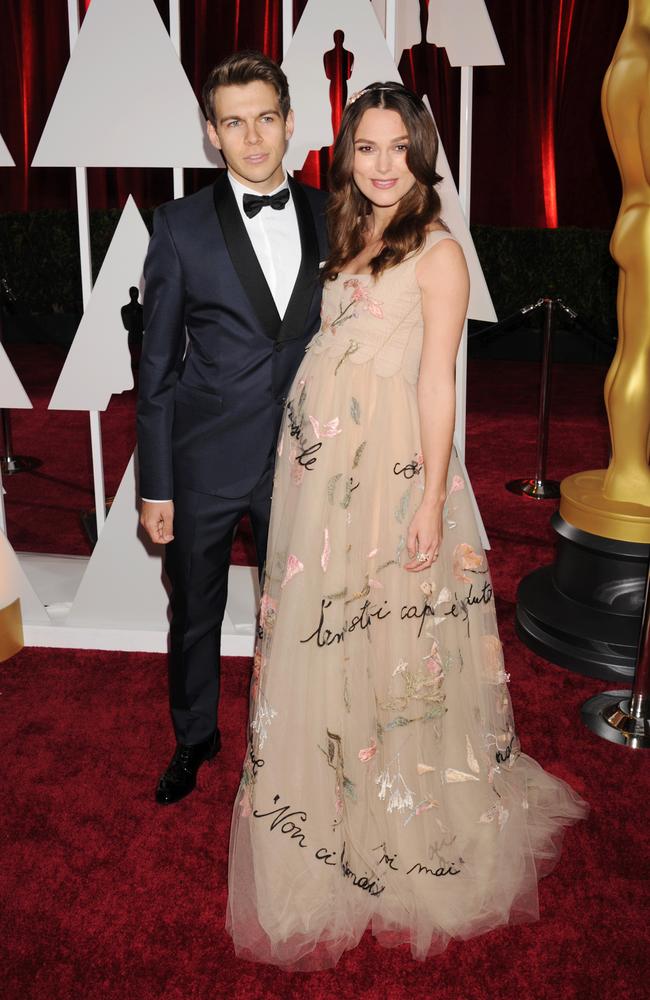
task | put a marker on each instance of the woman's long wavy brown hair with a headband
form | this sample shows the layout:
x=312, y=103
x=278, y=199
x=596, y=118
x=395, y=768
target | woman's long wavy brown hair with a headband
x=349, y=209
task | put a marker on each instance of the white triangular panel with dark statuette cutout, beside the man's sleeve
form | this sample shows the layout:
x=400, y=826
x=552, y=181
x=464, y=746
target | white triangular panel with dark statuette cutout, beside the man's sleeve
x=98, y=362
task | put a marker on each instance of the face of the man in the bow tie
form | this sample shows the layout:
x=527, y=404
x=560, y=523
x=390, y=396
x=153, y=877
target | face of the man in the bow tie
x=251, y=133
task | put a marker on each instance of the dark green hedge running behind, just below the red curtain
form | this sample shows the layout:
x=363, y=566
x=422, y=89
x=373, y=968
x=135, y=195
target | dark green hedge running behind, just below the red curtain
x=39, y=256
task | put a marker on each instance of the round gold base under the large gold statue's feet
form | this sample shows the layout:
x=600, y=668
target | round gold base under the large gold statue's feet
x=585, y=506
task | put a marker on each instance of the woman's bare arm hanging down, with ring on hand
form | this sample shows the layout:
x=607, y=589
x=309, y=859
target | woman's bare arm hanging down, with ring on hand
x=444, y=281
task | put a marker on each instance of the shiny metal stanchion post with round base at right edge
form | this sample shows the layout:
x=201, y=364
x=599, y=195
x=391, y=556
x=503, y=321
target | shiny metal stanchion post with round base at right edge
x=624, y=716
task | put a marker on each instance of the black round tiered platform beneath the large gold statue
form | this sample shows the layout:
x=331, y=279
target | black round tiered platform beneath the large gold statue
x=584, y=611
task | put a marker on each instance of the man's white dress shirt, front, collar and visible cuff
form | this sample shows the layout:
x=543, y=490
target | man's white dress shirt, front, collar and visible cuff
x=276, y=242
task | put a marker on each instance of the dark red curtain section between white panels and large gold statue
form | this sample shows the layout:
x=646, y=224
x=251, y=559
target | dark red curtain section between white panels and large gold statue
x=541, y=155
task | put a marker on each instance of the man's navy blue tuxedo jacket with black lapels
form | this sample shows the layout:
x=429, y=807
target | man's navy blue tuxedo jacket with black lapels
x=209, y=412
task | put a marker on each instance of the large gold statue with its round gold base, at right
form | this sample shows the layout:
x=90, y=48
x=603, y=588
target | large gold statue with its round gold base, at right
x=615, y=502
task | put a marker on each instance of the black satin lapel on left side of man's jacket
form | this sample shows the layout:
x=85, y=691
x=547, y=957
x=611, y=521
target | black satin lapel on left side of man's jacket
x=244, y=259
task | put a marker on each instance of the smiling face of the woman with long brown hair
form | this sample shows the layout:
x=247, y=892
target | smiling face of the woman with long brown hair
x=380, y=170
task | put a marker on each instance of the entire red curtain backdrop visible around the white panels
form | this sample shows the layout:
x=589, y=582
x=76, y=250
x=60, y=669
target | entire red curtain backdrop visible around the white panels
x=540, y=153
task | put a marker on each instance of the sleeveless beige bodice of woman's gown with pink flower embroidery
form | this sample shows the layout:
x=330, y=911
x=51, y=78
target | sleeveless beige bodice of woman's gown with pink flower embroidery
x=376, y=319
